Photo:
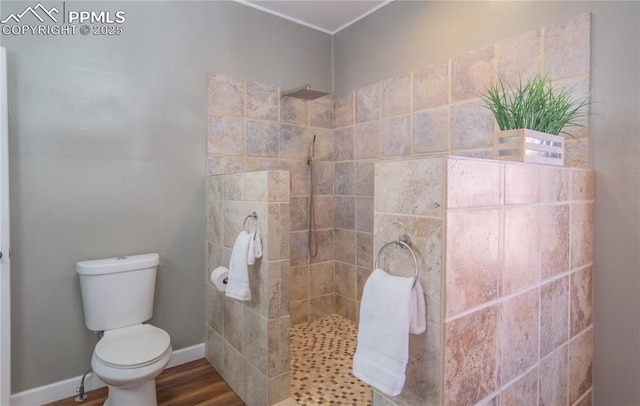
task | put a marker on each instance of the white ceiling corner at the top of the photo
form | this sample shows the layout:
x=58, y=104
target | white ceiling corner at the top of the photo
x=328, y=16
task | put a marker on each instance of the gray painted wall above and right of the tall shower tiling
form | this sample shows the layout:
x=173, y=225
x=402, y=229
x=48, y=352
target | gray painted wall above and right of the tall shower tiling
x=406, y=35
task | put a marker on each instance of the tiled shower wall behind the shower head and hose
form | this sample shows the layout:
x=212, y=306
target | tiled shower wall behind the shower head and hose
x=250, y=127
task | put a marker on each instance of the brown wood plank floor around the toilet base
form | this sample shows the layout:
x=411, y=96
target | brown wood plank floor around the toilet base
x=193, y=383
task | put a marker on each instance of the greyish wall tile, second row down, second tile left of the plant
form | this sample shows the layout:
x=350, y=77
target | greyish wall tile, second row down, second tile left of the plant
x=431, y=130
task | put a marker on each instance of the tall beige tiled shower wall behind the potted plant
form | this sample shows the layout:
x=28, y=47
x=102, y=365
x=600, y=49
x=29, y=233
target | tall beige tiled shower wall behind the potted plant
x=436, y=111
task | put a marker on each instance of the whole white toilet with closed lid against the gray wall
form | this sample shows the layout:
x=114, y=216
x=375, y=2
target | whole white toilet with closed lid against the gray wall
x=117, y=297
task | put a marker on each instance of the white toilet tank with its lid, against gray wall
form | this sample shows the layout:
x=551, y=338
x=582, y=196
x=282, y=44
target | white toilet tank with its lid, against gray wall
x=117, y=292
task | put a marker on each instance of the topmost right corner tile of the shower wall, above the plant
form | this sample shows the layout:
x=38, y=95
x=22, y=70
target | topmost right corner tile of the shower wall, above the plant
x=567, y=47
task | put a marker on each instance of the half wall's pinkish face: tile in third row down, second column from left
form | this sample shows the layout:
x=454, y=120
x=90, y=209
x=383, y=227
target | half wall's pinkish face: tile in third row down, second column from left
x=519, y=326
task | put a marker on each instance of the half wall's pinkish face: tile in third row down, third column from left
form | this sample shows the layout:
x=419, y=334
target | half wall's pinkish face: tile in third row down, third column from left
x=554, y=315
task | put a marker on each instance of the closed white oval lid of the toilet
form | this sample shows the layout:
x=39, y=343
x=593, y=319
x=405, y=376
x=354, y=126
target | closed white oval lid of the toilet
x=132, y=346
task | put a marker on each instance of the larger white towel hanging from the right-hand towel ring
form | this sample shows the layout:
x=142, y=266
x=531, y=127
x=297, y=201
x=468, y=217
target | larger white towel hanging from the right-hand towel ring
x=383, y=333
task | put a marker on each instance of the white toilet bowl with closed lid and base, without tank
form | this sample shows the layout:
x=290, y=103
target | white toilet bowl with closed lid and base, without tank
x=128, y=360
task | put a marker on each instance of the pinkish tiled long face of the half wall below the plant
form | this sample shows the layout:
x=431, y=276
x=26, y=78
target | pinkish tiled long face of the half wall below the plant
x=518, y=284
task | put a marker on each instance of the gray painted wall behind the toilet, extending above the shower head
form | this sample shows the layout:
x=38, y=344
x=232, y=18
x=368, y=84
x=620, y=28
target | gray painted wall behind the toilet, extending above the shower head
x=108, y=157
